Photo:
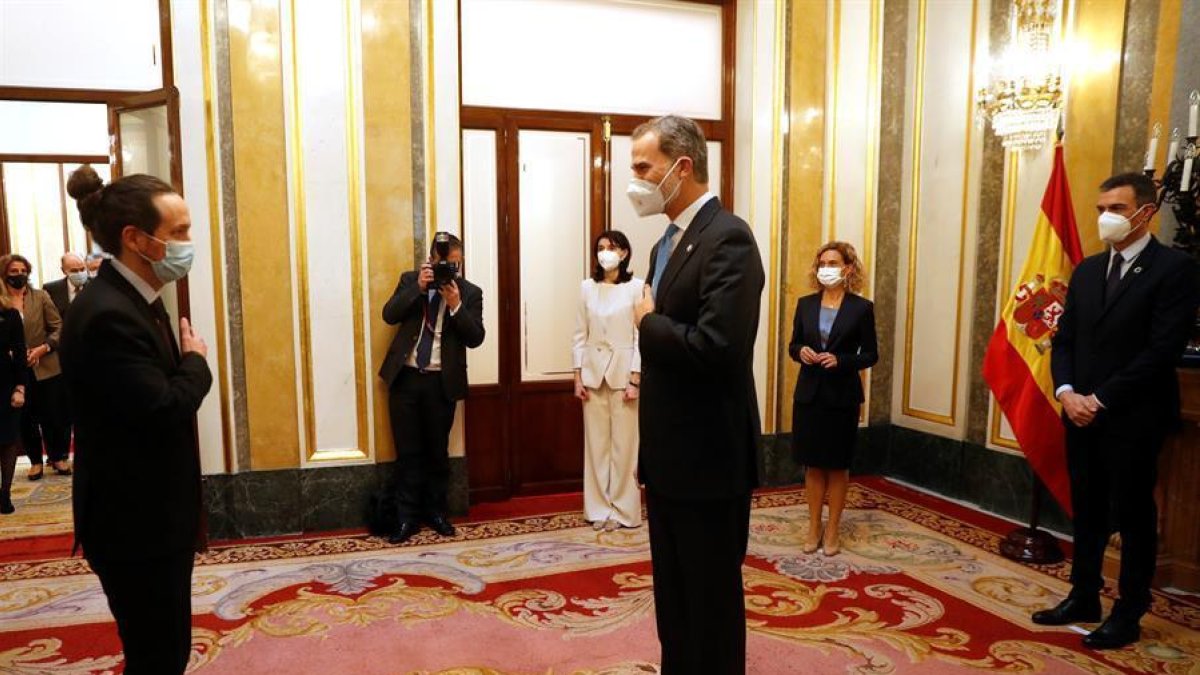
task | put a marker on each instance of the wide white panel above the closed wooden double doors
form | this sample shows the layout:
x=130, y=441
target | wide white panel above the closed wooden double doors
x=593, y=56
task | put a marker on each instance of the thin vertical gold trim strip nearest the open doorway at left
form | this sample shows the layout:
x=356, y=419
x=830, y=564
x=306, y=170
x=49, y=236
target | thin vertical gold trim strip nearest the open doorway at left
x=217, y=249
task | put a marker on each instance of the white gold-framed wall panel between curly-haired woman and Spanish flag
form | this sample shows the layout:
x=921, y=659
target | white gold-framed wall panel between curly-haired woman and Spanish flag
x=939, y=207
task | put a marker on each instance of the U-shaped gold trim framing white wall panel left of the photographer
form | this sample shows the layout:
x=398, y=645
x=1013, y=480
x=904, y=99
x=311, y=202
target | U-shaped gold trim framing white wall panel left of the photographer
x=309, y=411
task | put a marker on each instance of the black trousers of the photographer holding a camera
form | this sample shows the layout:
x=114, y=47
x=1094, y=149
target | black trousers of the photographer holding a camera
x=422, y=417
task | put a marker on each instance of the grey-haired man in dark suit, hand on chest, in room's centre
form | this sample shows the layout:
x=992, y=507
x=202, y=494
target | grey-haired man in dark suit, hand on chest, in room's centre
x=699, y=422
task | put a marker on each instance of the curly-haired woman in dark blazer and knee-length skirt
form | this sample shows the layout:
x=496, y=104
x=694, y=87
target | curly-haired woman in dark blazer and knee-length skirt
x=833, y=338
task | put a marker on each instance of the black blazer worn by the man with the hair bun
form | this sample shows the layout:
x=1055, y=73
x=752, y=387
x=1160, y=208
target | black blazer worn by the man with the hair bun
x=134, y=402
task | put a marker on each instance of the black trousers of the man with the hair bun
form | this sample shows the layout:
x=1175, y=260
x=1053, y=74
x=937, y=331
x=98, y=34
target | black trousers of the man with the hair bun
x=152, y=602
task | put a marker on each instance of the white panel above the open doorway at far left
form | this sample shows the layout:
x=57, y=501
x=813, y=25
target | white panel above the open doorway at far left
x=81, y=44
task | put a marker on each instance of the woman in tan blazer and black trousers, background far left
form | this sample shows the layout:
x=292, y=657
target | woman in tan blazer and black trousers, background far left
x=45, y=428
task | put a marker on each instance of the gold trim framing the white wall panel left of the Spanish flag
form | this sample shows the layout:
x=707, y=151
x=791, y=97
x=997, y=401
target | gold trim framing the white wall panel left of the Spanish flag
x=915, y=217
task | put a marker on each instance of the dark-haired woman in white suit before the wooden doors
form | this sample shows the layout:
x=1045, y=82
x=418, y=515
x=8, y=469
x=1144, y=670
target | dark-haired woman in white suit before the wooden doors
x=608, y=377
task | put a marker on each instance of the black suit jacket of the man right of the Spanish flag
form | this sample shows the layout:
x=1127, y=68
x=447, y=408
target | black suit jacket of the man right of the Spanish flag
x=1125, y=350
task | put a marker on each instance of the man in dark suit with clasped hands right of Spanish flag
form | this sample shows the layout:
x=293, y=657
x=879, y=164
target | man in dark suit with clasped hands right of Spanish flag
x=1130, y=312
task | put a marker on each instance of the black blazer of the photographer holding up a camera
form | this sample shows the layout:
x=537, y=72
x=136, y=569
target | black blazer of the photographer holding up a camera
x=459, y=332
